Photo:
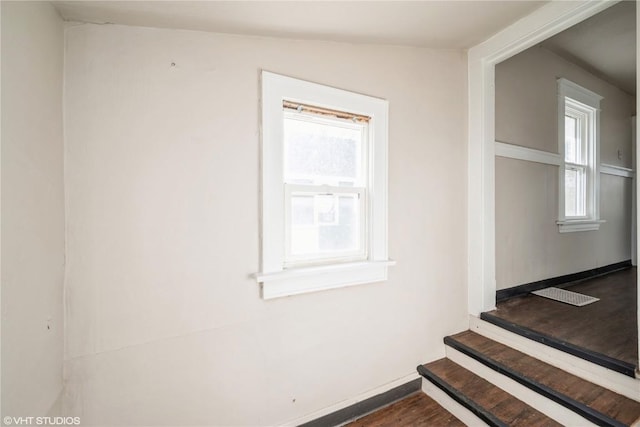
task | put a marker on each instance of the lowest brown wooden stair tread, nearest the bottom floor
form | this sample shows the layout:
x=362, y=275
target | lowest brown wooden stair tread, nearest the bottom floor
x=490, y=399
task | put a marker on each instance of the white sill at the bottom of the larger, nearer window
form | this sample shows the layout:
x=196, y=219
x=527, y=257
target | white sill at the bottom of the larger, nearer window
x=311, y=279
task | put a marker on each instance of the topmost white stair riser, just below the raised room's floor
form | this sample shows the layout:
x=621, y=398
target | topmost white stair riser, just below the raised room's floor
x=614, y=381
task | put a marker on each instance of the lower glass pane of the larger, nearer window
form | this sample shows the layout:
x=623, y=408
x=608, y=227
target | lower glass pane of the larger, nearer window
x=335, y=227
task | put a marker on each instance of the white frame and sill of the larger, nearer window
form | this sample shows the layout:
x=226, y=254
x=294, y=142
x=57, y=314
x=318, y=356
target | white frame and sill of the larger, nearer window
x=276, y=278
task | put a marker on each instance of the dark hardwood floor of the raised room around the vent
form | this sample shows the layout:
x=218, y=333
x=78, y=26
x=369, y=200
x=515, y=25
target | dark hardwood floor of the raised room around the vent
x=608, y=326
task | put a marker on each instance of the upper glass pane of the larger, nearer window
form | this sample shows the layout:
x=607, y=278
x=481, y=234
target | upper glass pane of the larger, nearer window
x=322, y=153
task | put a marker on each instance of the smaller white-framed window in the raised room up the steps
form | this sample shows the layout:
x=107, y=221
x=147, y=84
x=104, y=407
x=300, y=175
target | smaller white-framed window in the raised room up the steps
x=578, y=144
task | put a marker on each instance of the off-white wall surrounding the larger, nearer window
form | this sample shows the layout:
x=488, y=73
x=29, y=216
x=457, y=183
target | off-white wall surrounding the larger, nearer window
x=165, y=324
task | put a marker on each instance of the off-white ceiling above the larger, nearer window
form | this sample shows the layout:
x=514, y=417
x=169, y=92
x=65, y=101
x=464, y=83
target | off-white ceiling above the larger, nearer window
x=435, y=24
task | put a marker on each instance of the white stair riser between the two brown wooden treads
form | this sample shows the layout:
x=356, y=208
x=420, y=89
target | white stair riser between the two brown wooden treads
x=546, y=406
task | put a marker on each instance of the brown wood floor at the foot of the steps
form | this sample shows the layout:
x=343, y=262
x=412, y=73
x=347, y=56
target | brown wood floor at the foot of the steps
x=416, y=410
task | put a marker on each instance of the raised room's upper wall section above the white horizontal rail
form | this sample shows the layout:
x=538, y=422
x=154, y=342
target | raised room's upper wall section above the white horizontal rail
x=526, y=104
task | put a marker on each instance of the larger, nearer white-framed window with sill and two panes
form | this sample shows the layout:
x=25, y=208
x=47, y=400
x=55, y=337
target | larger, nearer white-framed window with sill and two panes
x=324, y=187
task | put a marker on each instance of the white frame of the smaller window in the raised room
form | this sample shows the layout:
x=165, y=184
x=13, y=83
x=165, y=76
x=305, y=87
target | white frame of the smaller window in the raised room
x=584, y=105
